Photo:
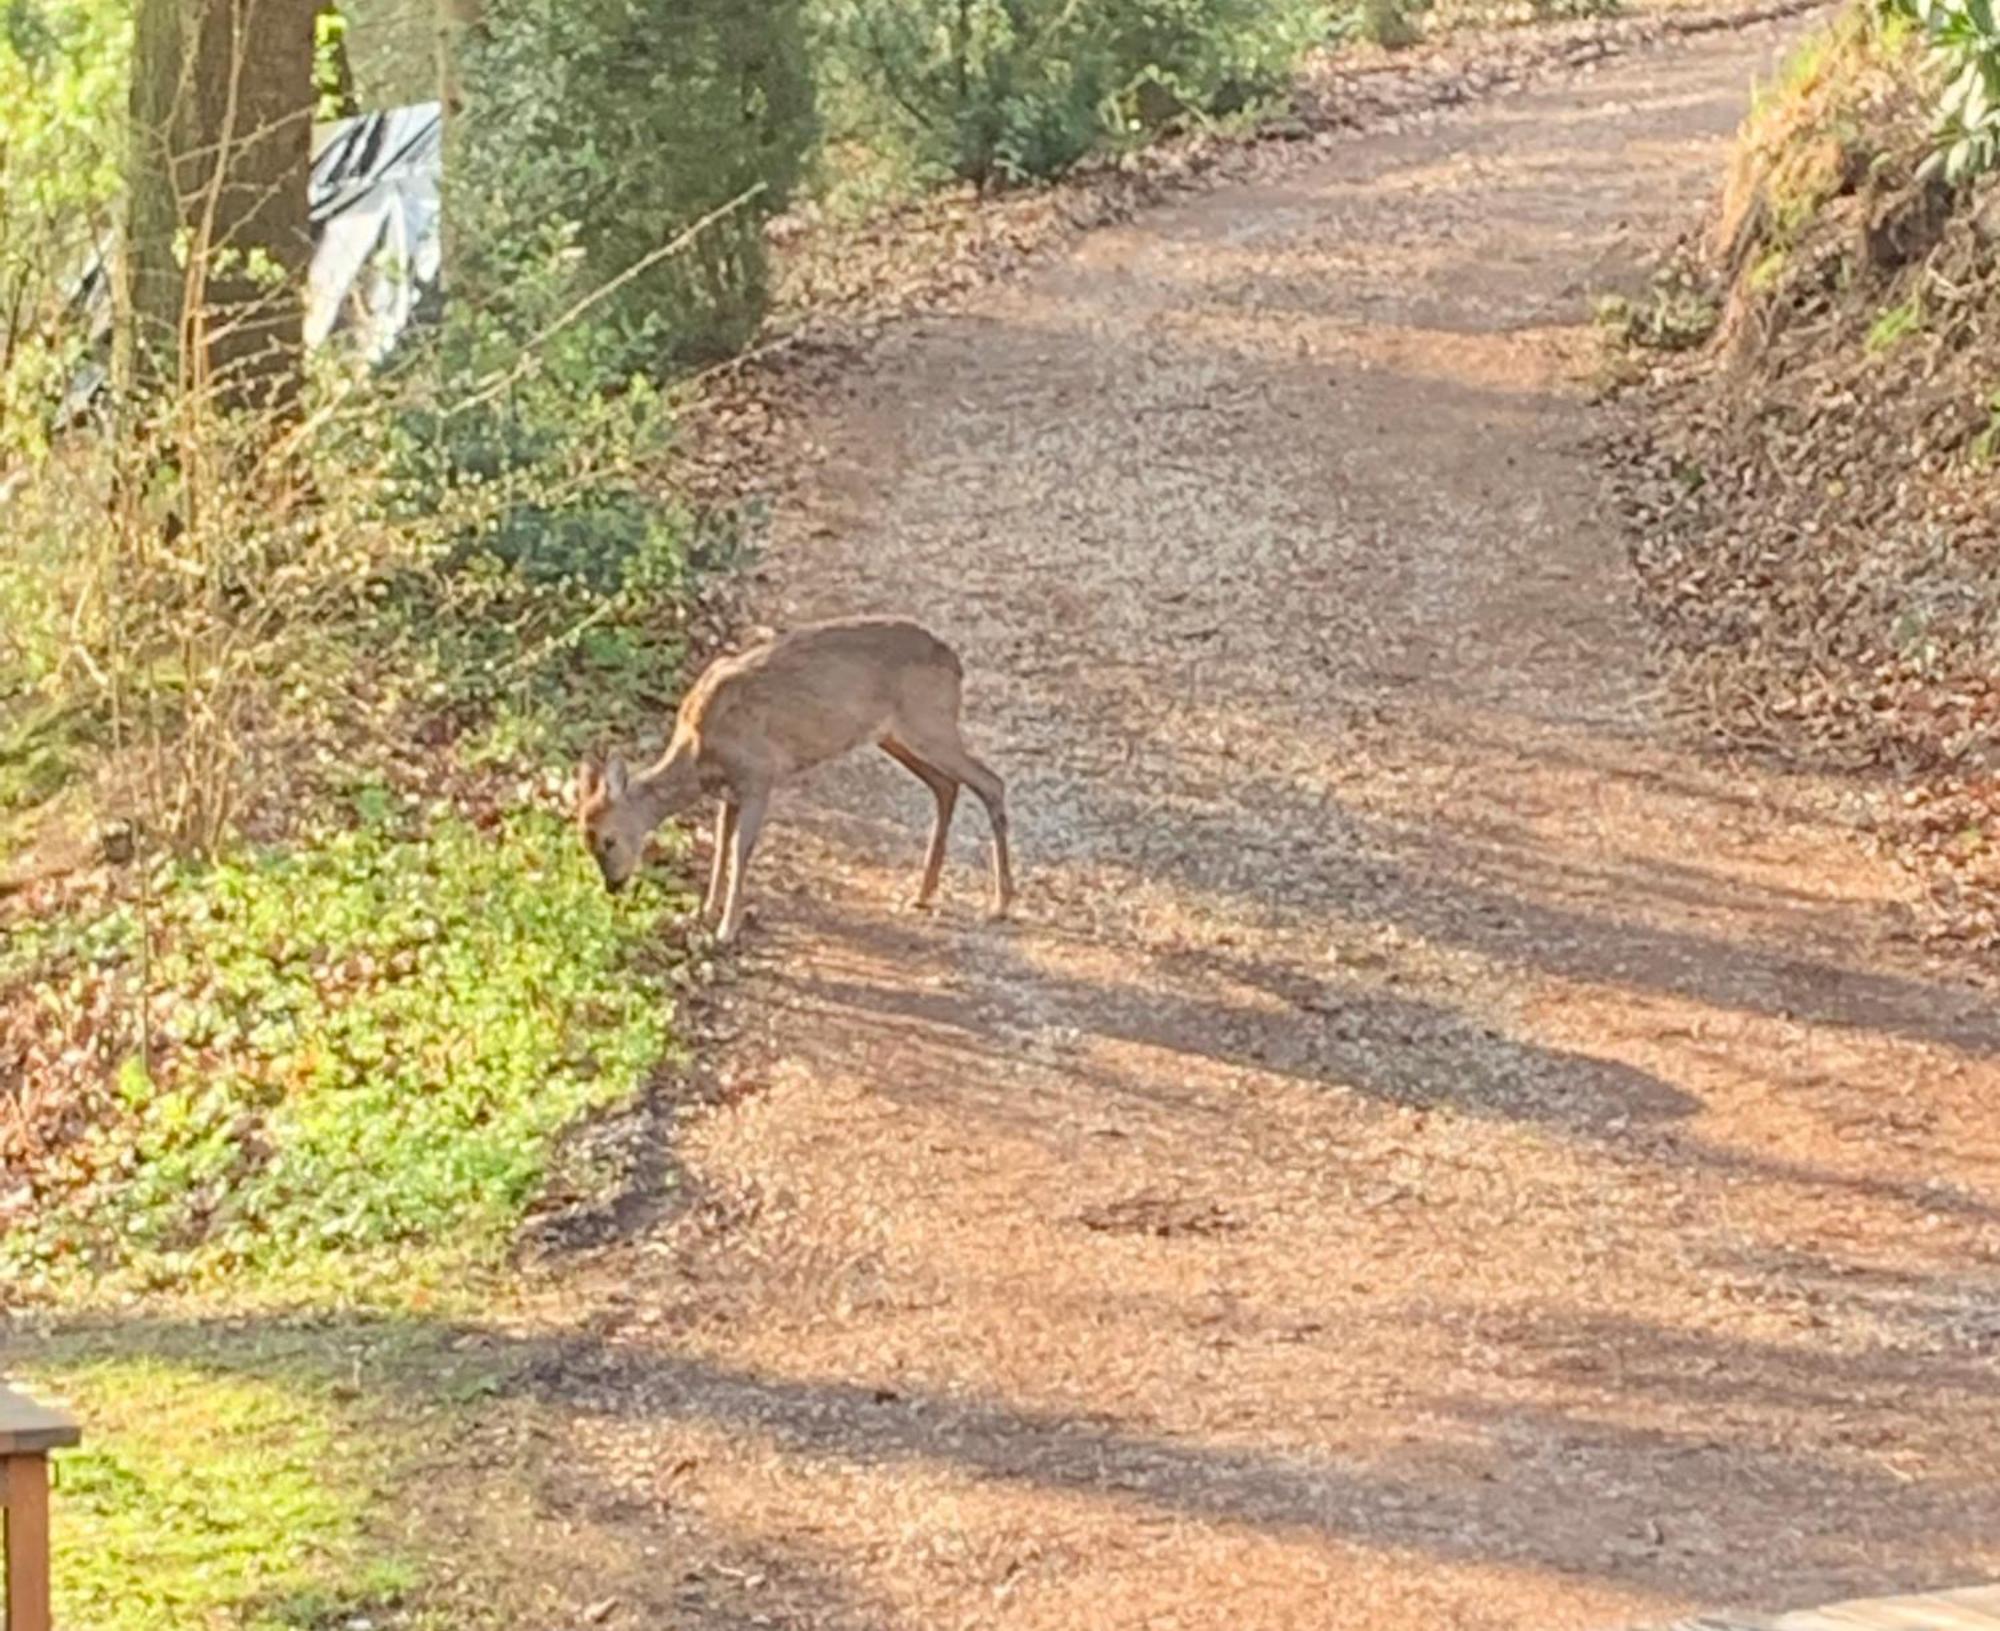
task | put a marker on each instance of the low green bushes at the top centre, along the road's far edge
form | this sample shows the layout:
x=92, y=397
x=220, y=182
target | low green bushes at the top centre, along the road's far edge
x=1009, y=91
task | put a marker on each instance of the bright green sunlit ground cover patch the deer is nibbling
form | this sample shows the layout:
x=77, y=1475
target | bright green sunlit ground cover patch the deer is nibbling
x=361, y=1054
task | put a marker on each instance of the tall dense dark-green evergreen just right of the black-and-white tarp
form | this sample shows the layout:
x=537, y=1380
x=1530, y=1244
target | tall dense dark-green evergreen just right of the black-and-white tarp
x=597, y=131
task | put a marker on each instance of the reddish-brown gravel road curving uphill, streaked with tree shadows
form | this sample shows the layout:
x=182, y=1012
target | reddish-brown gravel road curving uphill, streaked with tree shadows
x=1433, y=1150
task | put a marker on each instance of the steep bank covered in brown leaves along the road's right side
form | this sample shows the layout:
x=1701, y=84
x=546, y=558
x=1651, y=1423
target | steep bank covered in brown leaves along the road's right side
x=1817, y=487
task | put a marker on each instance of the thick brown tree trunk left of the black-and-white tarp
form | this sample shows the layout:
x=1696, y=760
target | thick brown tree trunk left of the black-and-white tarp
x=219, y=235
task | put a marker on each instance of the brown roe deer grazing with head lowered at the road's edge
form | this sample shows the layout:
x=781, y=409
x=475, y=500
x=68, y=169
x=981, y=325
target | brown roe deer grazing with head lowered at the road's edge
x=767, y=715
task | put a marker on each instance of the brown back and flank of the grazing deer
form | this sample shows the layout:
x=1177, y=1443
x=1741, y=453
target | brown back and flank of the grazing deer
x=819, y=693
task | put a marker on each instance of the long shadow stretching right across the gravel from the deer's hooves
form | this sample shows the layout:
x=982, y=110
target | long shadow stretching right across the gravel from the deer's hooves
x=1015, y=1022
